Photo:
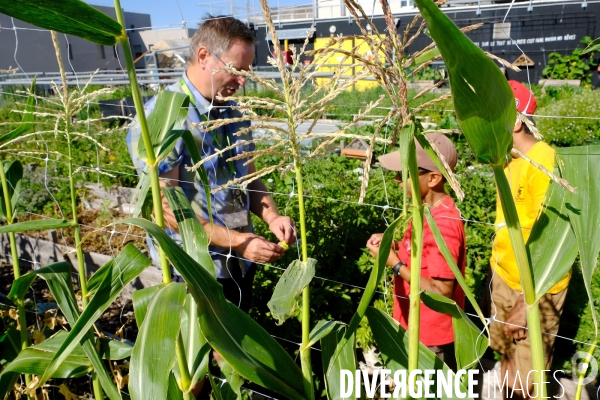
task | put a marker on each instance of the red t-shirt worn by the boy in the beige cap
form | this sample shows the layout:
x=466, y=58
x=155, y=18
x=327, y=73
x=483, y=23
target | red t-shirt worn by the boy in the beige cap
x=436, y=328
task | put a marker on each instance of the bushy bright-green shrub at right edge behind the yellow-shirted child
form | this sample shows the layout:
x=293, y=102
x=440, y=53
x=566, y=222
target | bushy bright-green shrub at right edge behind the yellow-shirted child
x=564, y=132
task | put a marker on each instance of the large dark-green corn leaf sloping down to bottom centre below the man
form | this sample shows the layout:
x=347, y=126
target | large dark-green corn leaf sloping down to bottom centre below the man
x=244, y=344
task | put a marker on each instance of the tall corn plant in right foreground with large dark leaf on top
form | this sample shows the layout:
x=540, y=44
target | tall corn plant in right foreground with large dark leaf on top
x=485, y=110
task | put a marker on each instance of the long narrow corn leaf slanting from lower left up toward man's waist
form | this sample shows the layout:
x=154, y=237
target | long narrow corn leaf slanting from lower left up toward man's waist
x=116, y=275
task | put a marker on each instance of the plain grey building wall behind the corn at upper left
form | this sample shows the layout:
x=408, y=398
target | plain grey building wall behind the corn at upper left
x=35, y=52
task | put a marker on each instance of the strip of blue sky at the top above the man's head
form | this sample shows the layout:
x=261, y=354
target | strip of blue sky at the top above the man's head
x=166, y=12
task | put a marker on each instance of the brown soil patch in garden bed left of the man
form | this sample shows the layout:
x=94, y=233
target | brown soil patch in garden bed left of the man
x=96, y=228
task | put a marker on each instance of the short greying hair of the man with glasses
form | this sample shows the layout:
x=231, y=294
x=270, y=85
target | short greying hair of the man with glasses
x=218, y=33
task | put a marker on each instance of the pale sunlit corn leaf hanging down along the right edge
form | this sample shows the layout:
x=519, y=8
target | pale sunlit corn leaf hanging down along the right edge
x=581, y=167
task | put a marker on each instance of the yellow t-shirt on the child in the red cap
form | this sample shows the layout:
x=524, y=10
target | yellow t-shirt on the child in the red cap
x=528, y=186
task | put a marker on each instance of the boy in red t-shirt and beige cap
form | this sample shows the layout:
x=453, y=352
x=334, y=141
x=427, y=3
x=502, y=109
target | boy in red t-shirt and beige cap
x=436, y=276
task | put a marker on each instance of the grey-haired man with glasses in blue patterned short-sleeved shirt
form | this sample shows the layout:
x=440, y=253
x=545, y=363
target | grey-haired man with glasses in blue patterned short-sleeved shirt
x=233, y=245
